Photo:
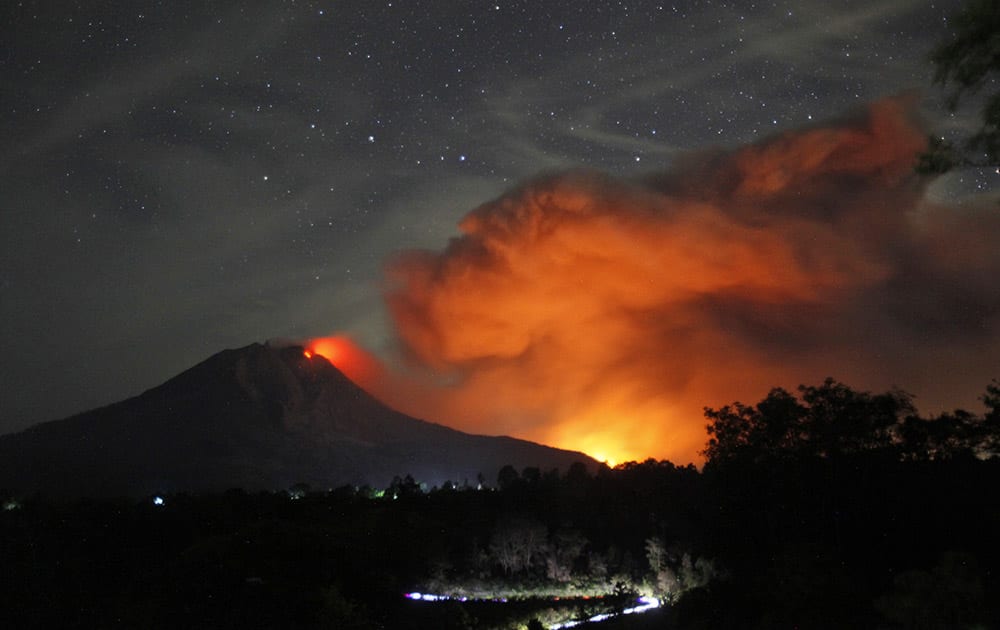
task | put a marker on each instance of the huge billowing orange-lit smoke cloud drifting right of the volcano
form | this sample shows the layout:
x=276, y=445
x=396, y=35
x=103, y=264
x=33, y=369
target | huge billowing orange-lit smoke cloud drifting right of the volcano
x=603, y=314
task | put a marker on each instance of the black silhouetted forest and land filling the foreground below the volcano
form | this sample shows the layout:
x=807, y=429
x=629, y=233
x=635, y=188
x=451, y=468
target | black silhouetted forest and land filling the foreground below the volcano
x=831, y=508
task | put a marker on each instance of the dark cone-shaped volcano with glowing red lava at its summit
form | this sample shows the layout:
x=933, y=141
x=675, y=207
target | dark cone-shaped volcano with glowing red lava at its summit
x=258, y=418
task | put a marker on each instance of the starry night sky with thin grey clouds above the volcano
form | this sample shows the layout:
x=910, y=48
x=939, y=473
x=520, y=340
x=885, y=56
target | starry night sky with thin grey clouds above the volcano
x=182, y=177
